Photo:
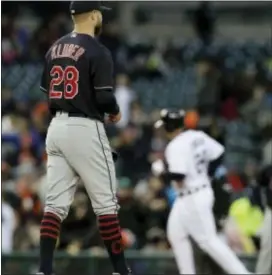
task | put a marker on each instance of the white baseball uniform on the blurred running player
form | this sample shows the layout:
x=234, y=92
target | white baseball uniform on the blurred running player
x=192, y=214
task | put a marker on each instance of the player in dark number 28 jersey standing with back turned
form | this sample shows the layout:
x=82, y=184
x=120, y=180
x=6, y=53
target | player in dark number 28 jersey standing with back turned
x=78, y=81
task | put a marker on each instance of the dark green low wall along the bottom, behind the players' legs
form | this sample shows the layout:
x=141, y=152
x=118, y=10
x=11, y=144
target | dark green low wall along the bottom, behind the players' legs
x=87, y=264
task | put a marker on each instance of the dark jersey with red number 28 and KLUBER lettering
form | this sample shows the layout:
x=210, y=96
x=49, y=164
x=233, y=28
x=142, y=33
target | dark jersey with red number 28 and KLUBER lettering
x=76, y=67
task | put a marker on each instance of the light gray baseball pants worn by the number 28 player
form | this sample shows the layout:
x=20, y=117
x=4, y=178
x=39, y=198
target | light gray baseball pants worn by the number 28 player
x=78, y=149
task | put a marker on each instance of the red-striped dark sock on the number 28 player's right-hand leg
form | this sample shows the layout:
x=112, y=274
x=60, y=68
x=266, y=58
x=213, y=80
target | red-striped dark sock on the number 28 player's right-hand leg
x=110, y=233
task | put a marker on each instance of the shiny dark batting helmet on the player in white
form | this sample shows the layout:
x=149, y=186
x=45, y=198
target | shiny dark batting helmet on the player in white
x=171, y=120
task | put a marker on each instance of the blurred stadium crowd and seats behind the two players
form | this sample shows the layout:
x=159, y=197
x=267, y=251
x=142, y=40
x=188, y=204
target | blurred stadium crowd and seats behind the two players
x=214, y=60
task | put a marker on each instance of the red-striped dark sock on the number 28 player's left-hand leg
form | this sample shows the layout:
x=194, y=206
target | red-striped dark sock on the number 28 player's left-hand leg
x=50, y=229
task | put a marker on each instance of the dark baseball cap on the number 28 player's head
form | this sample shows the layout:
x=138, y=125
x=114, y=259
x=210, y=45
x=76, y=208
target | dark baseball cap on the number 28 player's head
x=78, y=7
